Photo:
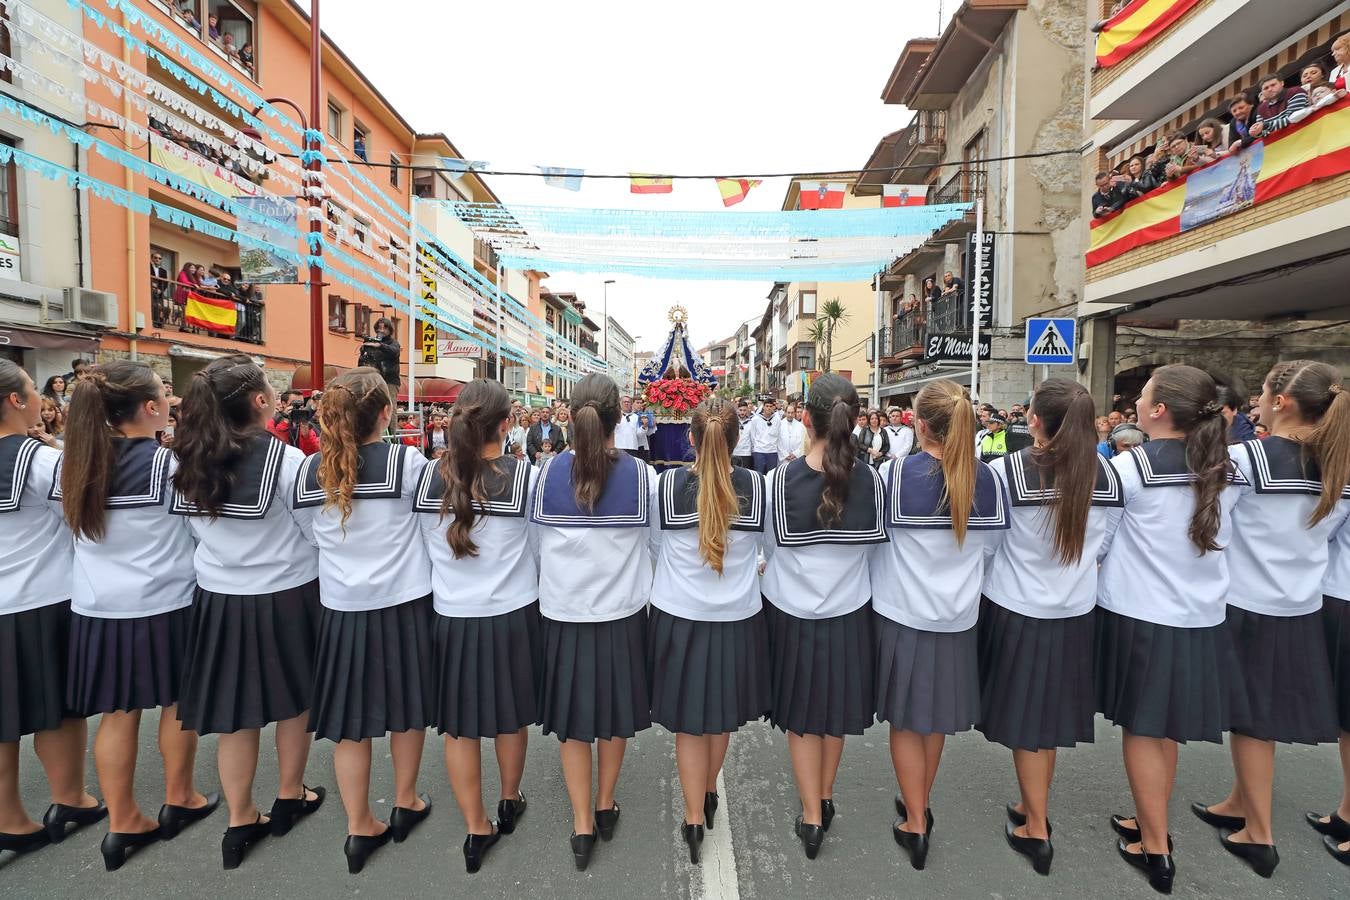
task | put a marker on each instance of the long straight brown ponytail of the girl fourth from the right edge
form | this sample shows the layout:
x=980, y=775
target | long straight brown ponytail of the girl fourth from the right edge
x=1070, y=458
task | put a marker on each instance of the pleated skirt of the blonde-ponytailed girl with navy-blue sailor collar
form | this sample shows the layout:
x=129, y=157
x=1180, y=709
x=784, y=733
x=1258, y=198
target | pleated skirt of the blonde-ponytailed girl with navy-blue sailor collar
x=927, y=682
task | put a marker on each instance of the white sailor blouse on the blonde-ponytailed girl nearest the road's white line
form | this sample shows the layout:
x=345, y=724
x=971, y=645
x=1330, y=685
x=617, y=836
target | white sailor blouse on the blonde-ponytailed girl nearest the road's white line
x=685, y=586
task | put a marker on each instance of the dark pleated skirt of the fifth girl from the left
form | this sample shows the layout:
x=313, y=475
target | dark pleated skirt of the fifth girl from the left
x=488, y=673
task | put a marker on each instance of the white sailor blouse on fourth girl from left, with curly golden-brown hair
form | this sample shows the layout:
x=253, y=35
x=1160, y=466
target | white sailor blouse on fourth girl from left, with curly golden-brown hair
x=377, y=559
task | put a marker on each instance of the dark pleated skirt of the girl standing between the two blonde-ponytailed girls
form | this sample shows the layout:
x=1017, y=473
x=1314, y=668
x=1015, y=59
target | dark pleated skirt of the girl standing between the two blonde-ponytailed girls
x=821, y=673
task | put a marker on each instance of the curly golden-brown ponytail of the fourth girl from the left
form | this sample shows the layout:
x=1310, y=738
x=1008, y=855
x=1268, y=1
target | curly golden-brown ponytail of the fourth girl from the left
x=349, y=412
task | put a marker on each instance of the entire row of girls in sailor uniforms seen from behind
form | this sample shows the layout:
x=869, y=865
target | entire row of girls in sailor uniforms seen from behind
x=936, y=594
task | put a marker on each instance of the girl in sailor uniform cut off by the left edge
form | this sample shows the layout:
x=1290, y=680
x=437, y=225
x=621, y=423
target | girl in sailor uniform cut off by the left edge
x=36, y=559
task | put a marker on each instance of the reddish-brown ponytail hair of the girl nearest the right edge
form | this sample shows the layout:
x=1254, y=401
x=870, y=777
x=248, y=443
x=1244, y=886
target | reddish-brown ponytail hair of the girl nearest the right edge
x=1318, y=391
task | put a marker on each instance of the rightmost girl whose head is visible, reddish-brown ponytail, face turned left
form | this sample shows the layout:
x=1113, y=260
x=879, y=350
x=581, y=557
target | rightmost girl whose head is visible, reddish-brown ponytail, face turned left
x=1294, y=500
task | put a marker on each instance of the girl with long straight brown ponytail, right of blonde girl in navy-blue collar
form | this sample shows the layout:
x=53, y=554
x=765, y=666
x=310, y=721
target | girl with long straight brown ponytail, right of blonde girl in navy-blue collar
x=1040, y=597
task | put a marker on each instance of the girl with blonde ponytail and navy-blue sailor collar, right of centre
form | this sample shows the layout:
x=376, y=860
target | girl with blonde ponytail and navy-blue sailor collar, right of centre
x=944, y=512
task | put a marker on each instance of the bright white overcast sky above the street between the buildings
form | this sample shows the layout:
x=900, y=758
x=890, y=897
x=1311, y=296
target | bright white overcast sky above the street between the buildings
x=697, y=87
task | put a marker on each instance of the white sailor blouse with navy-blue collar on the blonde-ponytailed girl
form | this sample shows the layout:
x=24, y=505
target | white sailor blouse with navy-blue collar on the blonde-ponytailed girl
x=923, y=578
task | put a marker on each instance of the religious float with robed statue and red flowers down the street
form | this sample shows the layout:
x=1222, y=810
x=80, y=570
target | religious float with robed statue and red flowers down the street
x=673, y=384
